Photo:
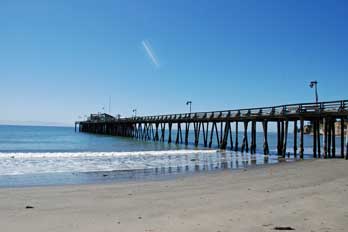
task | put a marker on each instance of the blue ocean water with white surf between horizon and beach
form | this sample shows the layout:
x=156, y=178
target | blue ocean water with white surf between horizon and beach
x=42, y=155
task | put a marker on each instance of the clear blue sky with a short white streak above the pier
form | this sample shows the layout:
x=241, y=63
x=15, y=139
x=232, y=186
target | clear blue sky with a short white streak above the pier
x=62, y=59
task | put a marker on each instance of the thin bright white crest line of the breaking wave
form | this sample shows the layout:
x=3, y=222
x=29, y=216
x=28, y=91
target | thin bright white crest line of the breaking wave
x=28, y=155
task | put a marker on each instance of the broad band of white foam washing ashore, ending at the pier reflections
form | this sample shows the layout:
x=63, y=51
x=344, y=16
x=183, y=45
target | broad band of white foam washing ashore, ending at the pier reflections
x=53, y=162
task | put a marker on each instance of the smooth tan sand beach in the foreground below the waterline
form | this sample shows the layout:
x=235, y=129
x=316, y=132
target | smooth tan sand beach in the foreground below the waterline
x=307, y=196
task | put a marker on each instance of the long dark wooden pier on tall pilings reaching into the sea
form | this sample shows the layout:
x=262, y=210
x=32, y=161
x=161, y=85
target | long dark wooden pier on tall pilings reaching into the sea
x=223, y=127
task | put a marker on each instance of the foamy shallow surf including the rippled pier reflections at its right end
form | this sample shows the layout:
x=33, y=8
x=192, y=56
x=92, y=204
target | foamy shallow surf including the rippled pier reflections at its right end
x=19, y=163
